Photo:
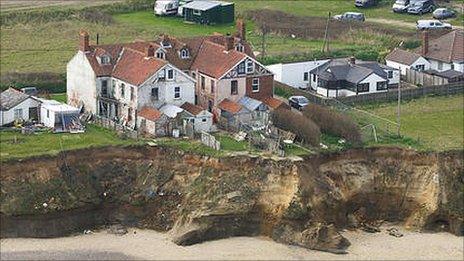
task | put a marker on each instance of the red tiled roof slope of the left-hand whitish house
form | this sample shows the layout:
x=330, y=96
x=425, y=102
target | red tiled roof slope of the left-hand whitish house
x=133, y=67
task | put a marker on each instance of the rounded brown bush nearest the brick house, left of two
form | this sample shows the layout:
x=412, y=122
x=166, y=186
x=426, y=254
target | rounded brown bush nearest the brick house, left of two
x=304, y=128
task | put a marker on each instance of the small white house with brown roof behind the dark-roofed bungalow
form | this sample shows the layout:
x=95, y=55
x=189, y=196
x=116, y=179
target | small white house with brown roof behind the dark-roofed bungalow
x=402, y=60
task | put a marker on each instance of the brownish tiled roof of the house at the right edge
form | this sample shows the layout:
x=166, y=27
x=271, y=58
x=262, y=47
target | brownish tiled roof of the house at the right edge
x=446, y=48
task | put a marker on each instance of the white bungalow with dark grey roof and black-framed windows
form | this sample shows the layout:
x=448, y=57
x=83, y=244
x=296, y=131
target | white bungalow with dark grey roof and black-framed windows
x=342, y=77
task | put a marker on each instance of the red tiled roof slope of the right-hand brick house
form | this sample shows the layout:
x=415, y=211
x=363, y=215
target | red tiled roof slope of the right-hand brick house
x=213, y=60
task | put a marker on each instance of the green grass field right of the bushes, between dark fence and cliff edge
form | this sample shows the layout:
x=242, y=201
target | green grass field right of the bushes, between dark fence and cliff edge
x=434, y=123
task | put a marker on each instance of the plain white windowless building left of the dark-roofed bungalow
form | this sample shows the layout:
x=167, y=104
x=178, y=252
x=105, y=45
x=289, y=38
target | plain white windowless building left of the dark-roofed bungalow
x=294, y=74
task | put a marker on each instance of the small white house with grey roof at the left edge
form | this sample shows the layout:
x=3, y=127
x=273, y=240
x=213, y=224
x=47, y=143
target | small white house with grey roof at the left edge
x=16, y=105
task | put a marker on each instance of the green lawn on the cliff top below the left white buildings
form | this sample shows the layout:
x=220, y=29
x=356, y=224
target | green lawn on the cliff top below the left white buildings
x=17, y=145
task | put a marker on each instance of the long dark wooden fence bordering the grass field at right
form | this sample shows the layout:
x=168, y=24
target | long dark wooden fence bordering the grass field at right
x=391, y=95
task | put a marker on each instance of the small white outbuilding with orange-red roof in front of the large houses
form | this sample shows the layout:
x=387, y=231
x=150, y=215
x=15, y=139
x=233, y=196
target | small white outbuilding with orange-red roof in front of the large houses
x=201, y=119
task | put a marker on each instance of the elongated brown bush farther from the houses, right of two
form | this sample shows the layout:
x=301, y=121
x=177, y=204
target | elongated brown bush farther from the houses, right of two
x=334, y=123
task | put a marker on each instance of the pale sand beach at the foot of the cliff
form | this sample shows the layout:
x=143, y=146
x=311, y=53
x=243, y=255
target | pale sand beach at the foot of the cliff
x=147, y=244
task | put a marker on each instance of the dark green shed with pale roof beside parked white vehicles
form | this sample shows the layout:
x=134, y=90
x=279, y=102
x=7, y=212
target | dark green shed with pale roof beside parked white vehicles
x=209, y=12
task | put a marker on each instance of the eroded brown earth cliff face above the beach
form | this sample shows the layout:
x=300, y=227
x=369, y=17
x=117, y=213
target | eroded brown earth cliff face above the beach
x=199, y=198
